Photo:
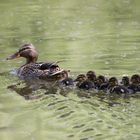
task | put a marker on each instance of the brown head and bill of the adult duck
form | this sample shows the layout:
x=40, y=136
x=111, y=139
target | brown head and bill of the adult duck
x=27, y=51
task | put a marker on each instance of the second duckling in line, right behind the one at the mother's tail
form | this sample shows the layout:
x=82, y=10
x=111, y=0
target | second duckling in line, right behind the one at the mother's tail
x=84, y=83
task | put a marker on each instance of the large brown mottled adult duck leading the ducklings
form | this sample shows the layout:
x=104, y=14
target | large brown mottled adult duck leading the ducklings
x=33, y=69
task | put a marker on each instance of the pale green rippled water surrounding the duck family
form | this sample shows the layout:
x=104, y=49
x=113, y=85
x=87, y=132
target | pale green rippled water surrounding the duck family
x=100, y=35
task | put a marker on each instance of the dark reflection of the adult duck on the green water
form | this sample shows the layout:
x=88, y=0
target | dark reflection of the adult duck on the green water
x=34, y=89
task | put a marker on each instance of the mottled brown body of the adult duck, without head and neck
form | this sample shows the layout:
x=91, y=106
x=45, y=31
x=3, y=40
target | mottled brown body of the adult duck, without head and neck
x=41, y=71
